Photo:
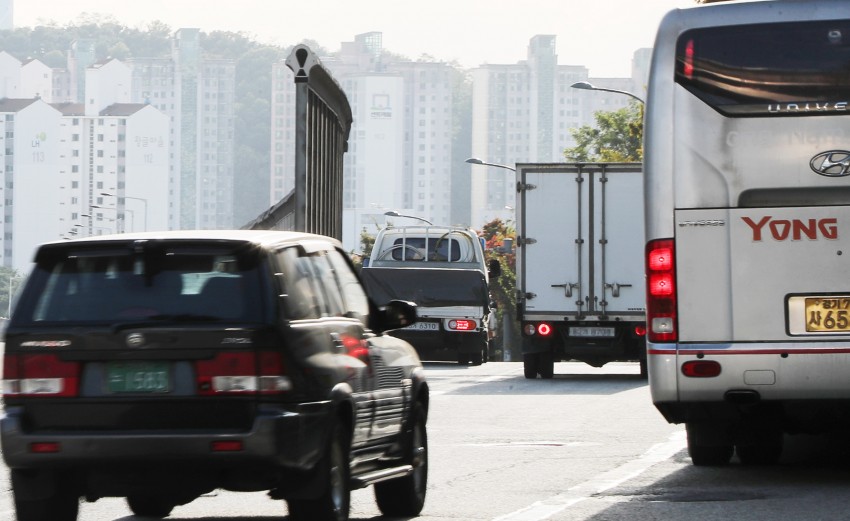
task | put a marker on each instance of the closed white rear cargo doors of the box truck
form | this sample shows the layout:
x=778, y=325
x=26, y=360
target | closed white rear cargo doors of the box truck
x=581, y=236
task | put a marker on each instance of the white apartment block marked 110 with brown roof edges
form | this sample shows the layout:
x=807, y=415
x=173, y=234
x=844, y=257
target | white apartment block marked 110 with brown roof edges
x=114, y=158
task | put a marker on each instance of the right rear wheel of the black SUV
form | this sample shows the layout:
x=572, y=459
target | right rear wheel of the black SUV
x=335, y=500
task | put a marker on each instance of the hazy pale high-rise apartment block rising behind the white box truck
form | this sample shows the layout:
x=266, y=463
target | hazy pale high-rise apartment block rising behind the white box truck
x=523, y=113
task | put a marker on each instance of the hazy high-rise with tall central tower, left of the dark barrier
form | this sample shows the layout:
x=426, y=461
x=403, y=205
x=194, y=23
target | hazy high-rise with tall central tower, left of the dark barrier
x=198, y=94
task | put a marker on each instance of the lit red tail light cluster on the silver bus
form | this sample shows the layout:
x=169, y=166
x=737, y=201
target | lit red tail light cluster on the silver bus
x=661, y=291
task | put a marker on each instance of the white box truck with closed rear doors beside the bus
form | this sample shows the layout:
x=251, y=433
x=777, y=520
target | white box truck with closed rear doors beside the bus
x=580, y=271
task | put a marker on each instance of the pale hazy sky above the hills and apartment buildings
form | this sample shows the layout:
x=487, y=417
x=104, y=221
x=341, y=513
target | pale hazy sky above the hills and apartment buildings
x=600, y=34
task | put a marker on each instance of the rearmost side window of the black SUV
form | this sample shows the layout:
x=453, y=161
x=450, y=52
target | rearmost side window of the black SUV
x=303, y=299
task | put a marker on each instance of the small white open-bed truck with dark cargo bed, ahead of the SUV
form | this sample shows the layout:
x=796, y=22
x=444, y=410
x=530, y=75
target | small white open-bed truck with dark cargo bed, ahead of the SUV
x=442, y=269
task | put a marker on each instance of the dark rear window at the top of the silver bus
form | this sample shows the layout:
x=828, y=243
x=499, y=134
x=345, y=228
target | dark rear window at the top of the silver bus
x=780, y=69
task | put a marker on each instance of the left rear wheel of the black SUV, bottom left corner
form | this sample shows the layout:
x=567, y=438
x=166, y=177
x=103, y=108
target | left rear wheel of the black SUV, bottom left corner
x=31, y=503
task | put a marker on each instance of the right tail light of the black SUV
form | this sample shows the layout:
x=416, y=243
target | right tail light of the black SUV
x=243, y=372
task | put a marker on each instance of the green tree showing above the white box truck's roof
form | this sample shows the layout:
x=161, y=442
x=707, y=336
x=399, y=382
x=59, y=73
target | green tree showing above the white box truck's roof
x=617, y=137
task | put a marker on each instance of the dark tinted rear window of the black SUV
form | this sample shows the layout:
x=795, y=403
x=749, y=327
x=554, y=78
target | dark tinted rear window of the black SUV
x=115, y=286
